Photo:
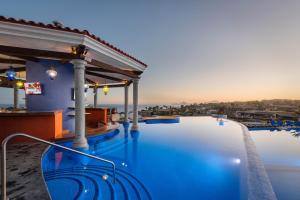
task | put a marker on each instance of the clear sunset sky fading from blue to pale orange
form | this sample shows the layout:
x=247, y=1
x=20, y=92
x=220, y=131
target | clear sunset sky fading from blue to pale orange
x=197, y=51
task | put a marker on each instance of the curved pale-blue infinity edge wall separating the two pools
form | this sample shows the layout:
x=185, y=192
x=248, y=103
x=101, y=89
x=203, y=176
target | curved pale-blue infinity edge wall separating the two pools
x=259, y=184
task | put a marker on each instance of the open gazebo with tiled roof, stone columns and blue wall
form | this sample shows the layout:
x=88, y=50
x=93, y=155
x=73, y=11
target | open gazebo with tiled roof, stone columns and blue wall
x=78, y=57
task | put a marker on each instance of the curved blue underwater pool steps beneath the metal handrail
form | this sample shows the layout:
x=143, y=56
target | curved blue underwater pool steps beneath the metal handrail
x=87, y=183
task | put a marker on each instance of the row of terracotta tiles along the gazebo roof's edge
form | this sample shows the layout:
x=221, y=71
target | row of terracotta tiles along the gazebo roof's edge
x=68, y=29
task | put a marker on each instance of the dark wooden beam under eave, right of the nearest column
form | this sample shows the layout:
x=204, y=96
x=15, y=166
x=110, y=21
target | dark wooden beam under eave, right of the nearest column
x=110, y=68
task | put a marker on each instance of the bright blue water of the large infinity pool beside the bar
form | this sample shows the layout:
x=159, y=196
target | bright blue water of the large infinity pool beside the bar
x=198, y=158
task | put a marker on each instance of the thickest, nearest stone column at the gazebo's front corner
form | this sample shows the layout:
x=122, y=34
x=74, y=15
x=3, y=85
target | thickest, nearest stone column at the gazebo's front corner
x=79, y=70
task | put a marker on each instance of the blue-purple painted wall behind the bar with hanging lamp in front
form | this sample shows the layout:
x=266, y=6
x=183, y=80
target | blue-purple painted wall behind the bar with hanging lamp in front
x=57, y=93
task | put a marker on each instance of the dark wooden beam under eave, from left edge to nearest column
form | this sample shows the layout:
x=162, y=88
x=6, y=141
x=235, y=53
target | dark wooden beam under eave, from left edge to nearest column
x=18, y=51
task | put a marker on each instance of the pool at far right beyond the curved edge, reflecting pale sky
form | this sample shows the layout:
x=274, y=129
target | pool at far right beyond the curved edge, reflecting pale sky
x=280, y=152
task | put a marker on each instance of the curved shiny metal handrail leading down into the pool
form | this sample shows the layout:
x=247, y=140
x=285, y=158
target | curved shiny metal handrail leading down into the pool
x=3, y=158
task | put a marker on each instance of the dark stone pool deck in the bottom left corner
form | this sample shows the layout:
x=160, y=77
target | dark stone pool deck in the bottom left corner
x=24, y=175
